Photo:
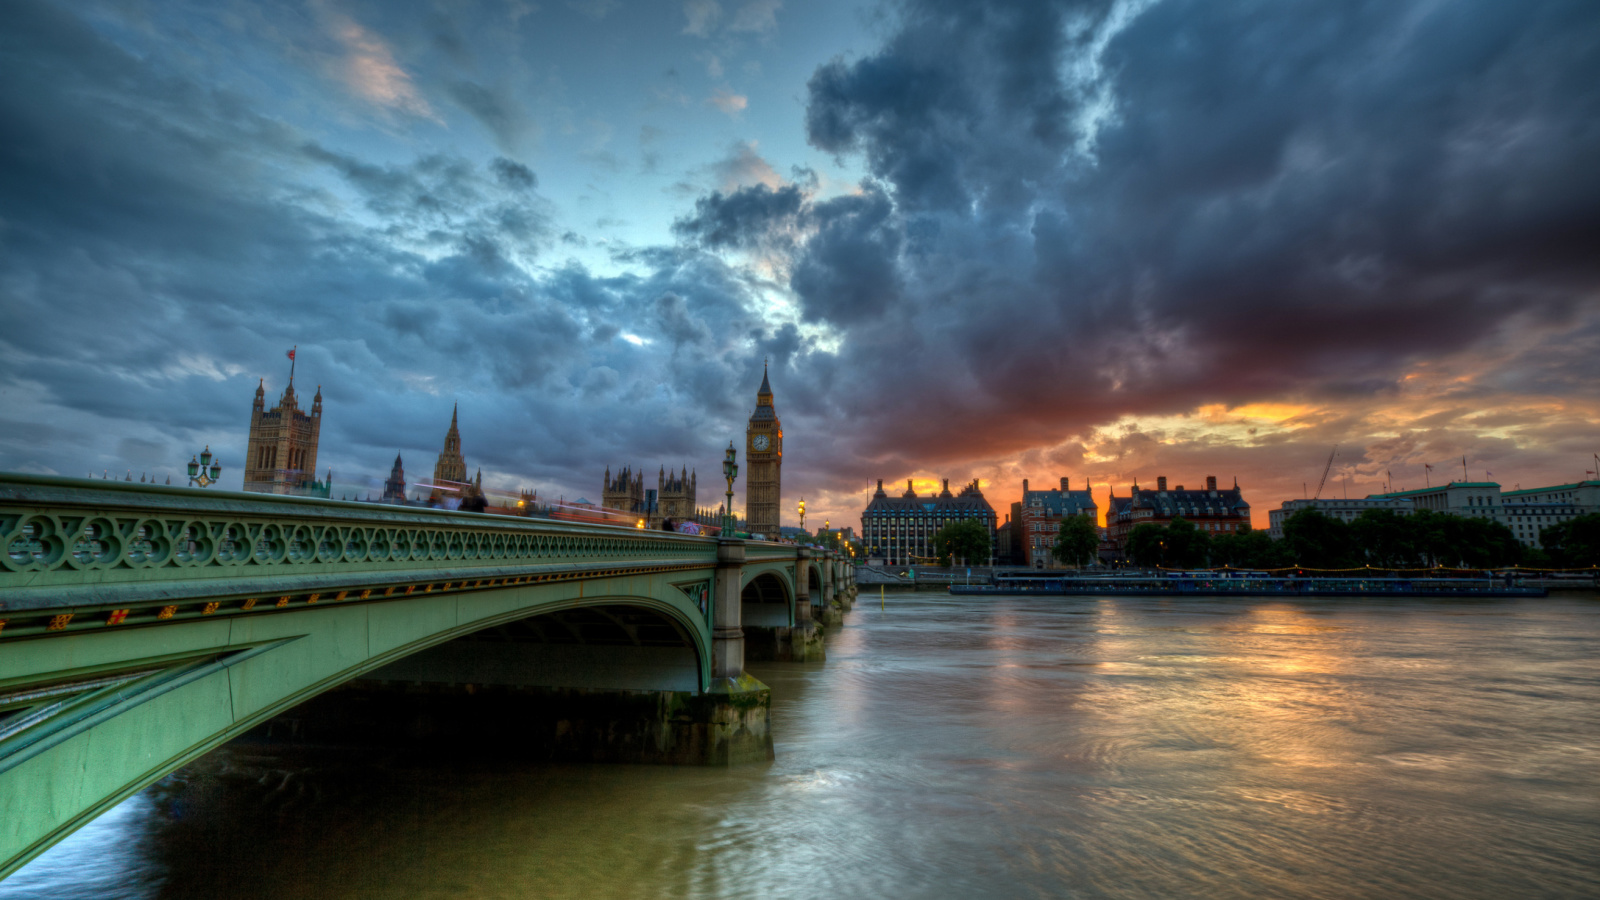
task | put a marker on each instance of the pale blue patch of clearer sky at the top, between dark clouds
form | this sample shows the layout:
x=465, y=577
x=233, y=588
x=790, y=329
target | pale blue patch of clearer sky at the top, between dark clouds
x=625, y=111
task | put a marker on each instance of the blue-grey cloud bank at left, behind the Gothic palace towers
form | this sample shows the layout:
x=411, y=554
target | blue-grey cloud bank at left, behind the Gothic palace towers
x=162, y=244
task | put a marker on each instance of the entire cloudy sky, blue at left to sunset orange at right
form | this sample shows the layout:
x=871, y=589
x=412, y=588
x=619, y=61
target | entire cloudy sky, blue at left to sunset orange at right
x=1092, y=239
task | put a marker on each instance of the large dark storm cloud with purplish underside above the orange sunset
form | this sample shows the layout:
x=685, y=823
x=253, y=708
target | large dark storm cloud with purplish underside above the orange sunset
x=1230, y=201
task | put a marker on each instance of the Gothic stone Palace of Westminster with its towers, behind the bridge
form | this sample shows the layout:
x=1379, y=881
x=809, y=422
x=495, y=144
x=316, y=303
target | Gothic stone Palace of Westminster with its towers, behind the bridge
x=282, y=459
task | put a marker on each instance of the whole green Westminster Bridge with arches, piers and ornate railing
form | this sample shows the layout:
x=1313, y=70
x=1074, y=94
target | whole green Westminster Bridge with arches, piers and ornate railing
x=143, y=627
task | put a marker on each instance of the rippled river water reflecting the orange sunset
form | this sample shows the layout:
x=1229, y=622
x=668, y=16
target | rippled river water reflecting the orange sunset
x=962, y=747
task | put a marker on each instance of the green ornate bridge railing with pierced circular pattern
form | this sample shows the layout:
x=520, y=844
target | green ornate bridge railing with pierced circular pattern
x=78, y=540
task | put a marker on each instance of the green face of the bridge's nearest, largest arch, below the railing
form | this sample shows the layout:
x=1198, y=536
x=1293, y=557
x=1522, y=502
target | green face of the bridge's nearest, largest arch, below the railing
x=174, y=694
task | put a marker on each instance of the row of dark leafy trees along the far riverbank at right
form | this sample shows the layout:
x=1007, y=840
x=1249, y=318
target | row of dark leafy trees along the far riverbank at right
x=1378, y=537
